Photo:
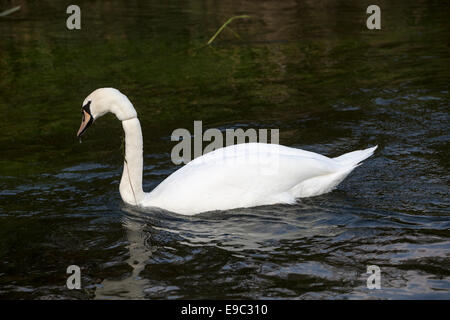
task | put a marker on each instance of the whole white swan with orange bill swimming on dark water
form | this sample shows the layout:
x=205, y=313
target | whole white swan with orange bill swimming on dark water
x=243, y=175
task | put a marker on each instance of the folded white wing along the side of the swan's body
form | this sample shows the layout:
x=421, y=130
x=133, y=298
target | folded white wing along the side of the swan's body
x=237, y=179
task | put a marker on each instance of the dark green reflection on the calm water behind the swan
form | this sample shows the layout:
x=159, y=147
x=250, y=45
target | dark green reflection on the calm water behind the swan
x=295, y=60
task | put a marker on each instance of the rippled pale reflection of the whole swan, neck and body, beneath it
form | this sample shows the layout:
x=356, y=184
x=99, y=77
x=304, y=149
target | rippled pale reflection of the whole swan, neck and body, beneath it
x=248, y=233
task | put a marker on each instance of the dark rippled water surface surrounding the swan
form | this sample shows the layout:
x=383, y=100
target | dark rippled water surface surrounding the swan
x=309, y=68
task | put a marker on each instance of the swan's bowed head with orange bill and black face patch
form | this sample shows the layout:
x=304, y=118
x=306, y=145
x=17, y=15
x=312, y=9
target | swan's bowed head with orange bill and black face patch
x=102, y=101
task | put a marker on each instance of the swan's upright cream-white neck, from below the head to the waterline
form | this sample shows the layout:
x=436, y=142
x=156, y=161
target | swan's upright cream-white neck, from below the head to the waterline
x=131, y=182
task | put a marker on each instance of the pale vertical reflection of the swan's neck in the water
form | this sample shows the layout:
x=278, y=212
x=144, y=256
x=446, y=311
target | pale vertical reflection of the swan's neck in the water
x=133, y=286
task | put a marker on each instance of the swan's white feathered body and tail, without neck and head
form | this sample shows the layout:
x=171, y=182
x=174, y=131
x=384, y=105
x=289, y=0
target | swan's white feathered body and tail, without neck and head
x=235, y=176
